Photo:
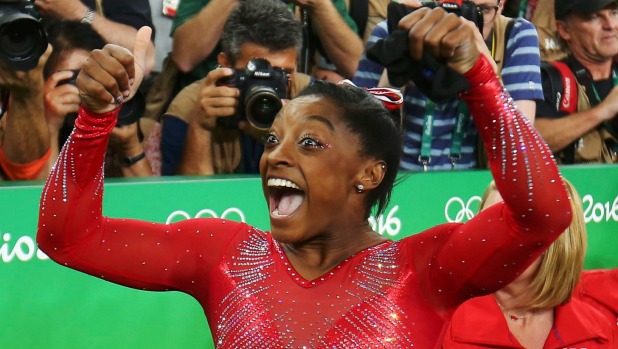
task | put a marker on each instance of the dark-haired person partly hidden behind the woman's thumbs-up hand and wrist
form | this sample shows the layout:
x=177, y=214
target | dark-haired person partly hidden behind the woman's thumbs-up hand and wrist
x=72, y=42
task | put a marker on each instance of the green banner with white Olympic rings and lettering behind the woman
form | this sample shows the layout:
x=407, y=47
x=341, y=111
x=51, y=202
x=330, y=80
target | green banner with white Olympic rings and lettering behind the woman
x=44, y=305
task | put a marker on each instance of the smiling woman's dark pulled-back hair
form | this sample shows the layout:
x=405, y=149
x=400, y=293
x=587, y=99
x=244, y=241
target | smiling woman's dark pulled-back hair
x=377, y=128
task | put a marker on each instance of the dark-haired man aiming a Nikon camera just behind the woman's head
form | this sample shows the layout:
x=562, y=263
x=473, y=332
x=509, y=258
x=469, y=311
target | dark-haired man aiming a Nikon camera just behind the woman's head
x=263, y=29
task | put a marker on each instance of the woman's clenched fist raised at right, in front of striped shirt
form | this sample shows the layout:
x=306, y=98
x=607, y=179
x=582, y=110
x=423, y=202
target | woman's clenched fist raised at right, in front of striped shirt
x=443, y=35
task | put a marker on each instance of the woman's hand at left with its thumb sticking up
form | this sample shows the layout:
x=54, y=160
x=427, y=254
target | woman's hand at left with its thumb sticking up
x=112, y=75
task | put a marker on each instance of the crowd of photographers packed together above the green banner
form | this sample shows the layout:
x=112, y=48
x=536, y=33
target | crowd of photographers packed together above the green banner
x=173, y=128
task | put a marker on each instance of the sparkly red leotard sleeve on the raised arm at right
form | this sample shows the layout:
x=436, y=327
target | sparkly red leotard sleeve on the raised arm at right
x=459, y=261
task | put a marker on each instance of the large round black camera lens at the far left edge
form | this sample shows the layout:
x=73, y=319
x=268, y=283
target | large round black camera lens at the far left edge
x=22, y=41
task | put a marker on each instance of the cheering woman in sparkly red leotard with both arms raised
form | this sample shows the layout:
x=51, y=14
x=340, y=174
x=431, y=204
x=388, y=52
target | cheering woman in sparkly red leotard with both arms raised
x=322, y=278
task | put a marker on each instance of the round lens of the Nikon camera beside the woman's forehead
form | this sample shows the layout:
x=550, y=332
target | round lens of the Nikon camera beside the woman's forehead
x=261, y=107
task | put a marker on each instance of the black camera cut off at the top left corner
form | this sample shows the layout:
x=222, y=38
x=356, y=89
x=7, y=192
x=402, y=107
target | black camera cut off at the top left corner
x=22, y=37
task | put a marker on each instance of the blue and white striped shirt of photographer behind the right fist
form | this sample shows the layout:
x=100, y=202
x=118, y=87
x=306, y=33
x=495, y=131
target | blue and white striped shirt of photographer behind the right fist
x=521, y=76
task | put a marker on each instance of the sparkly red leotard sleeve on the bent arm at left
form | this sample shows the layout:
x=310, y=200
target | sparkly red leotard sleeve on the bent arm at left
x=73, y=231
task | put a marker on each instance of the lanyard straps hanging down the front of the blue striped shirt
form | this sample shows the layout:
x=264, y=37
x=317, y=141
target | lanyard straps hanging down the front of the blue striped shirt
x=458, y=133
